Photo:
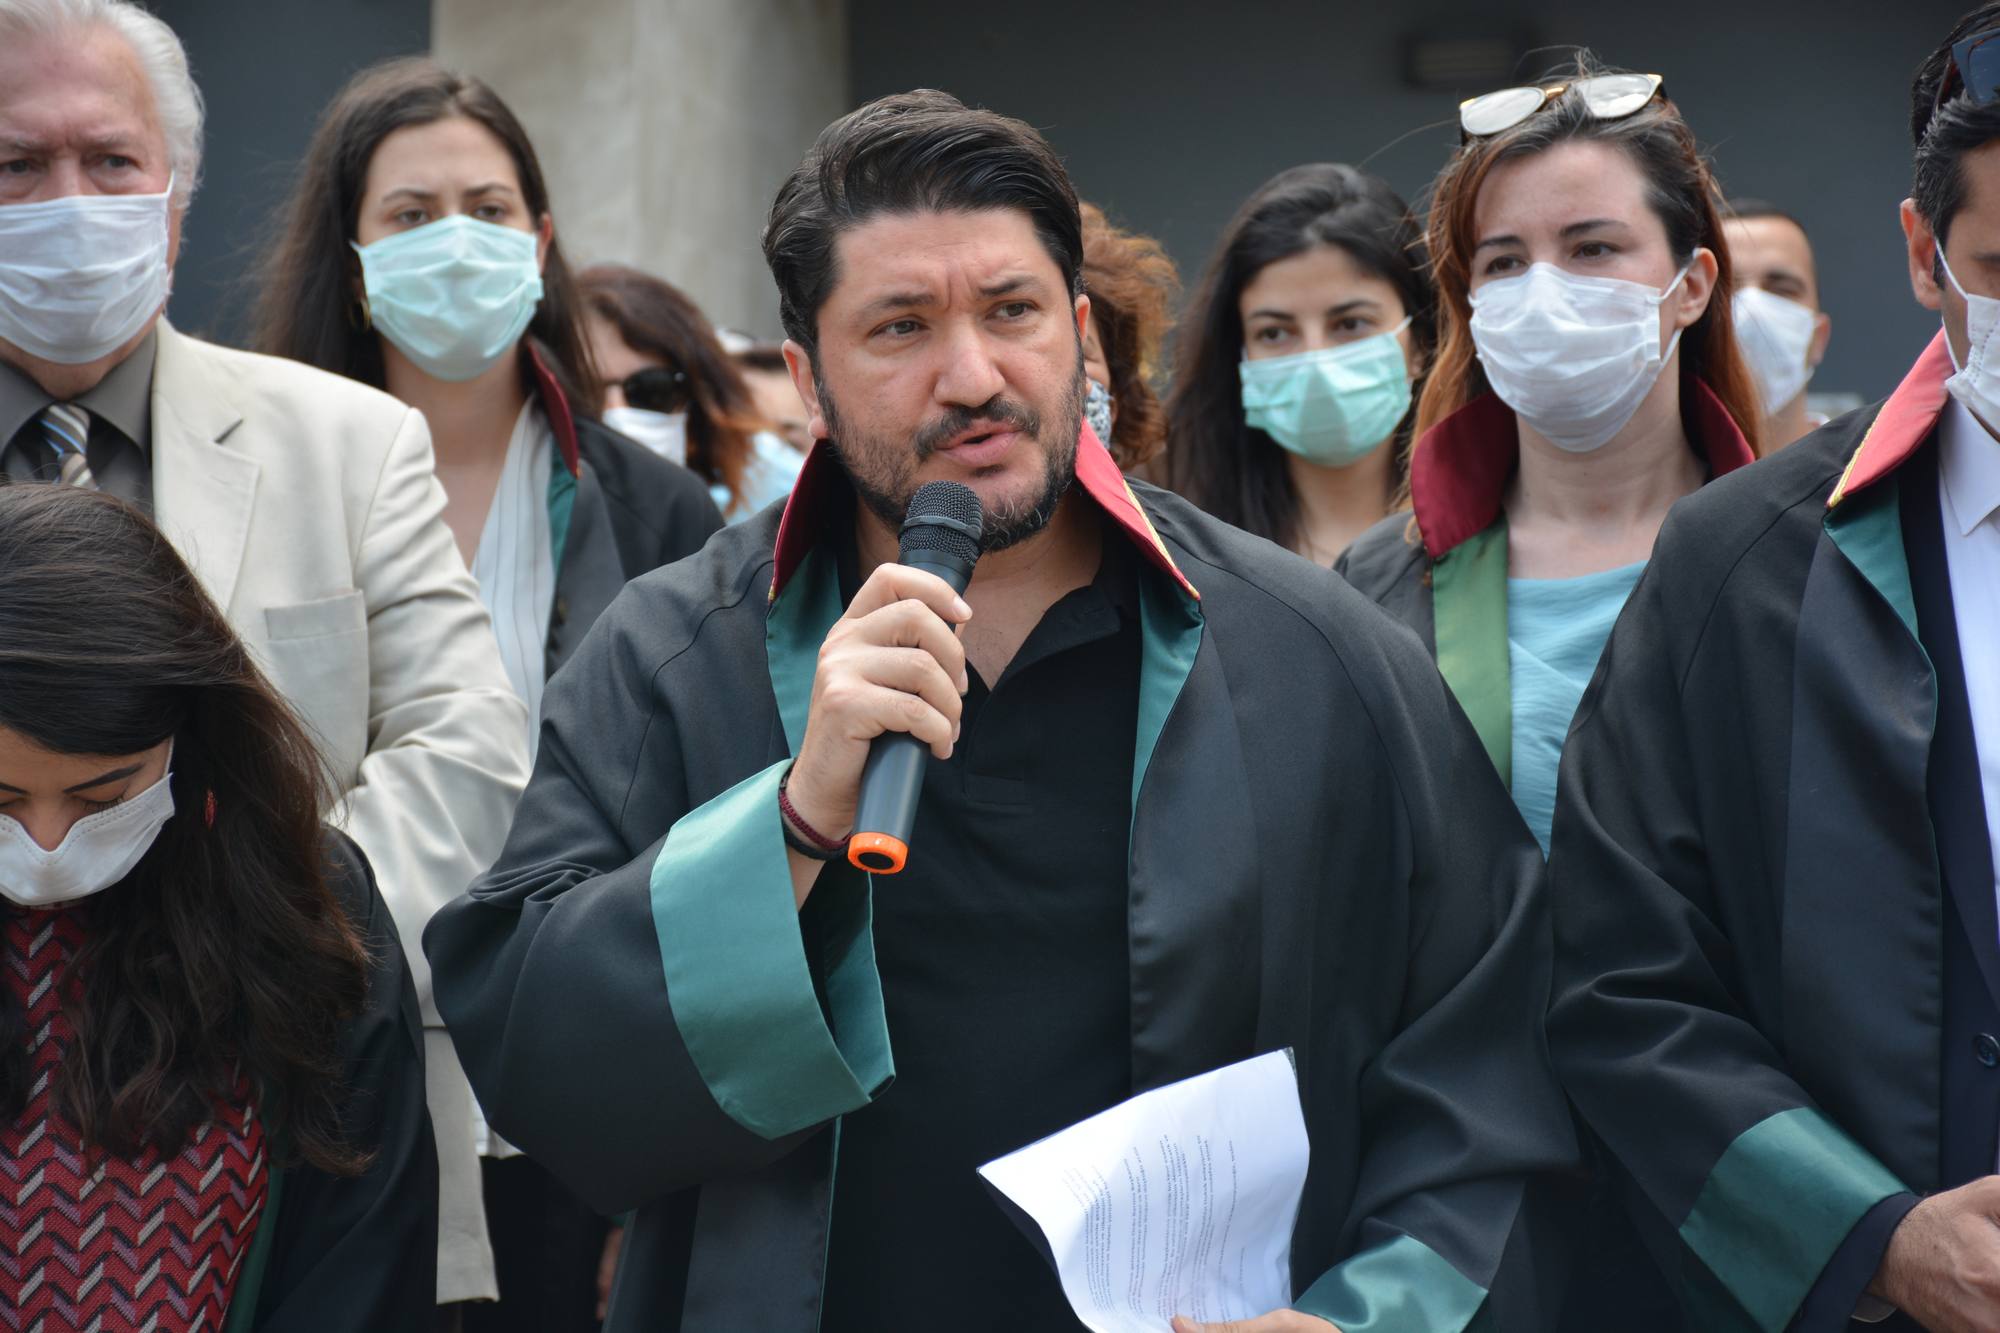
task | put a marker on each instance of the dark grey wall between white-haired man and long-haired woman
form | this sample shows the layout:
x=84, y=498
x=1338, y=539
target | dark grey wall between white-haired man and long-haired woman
x=267, y=69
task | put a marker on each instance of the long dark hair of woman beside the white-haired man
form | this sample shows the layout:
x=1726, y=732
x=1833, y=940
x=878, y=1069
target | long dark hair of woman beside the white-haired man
x=307, y=285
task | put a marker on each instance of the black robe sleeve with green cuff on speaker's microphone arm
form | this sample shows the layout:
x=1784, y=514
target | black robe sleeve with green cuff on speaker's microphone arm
x=631, y=988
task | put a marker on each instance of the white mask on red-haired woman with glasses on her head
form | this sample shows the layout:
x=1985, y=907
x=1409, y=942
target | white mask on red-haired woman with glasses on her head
x=1573, y=357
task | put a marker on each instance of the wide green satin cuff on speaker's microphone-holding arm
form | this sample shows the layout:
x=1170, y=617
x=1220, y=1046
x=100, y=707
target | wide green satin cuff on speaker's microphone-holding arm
x=733, y=948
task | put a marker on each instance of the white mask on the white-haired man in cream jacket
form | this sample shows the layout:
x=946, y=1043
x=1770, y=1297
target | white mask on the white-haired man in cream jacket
x=83, y=275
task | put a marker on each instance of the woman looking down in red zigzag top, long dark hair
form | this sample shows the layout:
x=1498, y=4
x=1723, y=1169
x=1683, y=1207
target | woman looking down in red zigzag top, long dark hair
x=211, y=1072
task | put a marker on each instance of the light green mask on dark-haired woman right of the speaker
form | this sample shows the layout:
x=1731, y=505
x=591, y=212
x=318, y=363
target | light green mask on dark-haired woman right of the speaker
x=1331, y=407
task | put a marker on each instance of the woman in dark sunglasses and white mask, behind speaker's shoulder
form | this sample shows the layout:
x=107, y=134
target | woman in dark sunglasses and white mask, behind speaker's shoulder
x=671, y=387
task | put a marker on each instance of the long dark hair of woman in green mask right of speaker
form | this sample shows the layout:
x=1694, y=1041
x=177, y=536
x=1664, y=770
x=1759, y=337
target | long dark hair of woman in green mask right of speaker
x=1217, y=459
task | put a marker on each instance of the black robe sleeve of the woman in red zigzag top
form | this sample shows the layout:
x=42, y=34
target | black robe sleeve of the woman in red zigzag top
x=363, y=1254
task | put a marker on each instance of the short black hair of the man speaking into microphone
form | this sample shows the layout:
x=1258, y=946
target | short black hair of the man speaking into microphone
x=919, y=151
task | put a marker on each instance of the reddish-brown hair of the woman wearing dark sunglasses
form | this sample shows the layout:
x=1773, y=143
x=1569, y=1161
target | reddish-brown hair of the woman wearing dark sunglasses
x=659, y=321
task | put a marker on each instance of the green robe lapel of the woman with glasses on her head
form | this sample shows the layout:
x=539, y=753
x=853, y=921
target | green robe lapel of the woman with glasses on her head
x=1469, y=609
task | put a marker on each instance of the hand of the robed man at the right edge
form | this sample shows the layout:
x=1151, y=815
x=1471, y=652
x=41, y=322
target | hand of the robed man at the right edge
x=1943, y=1264
